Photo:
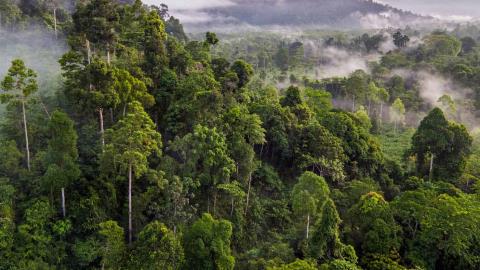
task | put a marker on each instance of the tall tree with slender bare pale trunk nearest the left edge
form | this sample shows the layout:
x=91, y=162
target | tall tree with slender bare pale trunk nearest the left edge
x=19, y=84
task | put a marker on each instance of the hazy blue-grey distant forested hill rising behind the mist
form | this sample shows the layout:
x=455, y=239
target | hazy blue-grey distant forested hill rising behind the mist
x=333, y=13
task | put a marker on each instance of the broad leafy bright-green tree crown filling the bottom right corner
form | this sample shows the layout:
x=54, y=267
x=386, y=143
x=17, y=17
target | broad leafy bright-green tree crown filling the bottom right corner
x=439, y=229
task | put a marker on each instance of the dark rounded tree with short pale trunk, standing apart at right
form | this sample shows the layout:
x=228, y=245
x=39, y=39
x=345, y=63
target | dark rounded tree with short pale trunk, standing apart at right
x=441, y=143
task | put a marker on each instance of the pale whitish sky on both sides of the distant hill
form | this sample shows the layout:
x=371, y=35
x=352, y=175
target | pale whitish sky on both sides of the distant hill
x=446, y=9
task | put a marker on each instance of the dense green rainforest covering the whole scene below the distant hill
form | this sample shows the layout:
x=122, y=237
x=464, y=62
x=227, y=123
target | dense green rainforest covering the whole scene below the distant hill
x=160, y=152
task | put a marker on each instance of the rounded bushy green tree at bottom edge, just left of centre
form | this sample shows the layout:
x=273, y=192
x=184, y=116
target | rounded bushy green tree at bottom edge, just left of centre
x=207, y=245
